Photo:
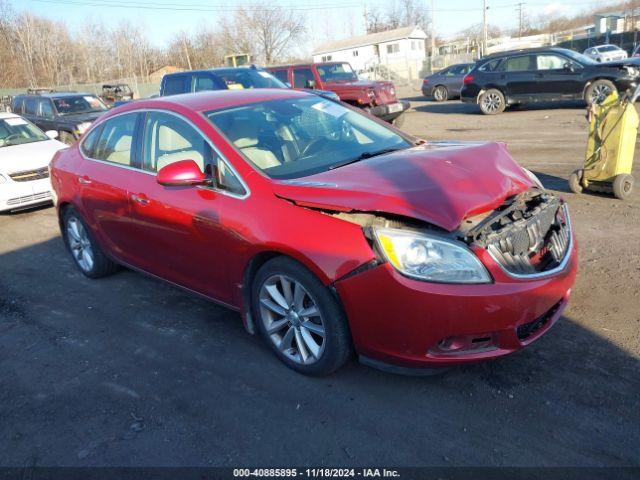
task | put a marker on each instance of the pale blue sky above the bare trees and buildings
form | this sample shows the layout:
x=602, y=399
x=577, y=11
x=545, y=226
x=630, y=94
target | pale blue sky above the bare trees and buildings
x=327, y=19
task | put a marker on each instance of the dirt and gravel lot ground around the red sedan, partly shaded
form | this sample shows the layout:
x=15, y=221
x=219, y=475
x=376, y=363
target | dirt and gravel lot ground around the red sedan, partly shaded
x=129, y=371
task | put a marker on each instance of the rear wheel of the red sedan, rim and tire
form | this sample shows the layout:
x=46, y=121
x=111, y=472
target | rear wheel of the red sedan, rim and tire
x=86, y=252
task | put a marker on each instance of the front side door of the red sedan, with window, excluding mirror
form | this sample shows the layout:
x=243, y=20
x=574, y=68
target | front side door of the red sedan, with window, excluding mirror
x=177, y=230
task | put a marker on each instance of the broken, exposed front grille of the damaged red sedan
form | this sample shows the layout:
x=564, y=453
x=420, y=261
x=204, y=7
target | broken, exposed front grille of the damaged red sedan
x=528, y=236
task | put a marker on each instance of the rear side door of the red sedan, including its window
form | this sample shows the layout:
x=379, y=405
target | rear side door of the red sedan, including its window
x=104, y=179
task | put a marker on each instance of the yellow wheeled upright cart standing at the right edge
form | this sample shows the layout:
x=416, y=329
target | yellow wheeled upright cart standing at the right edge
x=613, y=126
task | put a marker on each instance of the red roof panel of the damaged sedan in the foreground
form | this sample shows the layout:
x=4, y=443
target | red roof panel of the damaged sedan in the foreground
x=213, y=99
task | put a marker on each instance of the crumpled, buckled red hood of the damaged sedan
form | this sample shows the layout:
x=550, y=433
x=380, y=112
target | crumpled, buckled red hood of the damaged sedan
x=438, y=183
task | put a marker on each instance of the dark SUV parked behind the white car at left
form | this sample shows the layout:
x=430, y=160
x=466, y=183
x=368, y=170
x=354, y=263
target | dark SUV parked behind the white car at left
x=68, y=113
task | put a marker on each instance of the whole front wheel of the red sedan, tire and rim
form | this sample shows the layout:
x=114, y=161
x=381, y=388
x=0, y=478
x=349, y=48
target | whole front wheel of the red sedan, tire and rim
x=299, y=318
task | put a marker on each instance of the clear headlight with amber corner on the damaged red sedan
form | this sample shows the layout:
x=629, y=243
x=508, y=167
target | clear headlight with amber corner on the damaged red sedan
x=429, y=258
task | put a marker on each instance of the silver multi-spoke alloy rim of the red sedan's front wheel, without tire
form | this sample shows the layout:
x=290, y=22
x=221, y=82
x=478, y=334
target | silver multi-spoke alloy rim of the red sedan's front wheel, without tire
x=292, y=319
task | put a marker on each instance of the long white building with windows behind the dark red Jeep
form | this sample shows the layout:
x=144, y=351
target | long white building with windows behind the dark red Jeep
x=401, y=51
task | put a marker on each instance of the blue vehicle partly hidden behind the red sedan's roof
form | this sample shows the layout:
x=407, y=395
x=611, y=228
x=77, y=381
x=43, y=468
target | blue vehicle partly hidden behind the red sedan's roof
x=231, y=78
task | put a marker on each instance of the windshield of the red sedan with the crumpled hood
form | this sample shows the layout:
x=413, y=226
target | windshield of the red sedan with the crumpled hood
x=297, y=137
